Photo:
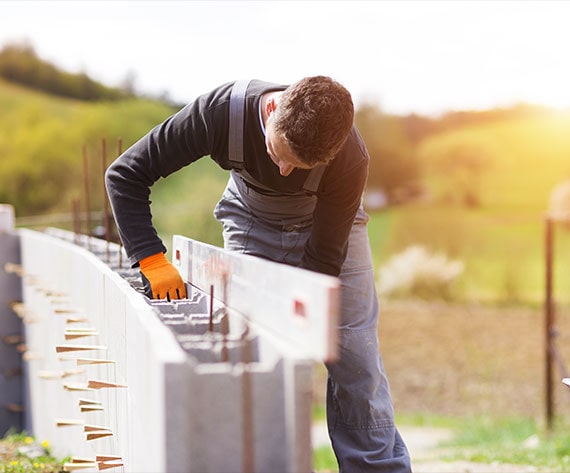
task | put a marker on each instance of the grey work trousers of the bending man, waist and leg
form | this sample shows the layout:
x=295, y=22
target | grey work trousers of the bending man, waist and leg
x=359, y=407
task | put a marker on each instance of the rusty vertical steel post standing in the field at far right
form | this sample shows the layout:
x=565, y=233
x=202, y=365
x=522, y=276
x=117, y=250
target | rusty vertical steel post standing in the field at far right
x=548, y=321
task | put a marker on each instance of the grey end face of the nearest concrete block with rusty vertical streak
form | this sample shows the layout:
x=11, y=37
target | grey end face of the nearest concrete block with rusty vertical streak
x=242, y=409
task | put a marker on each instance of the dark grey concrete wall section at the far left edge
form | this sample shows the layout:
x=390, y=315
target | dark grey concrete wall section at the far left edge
x=11, y=331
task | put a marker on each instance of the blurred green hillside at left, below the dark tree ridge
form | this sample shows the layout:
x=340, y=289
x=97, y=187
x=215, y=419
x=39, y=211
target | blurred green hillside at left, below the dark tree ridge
x=42, y=139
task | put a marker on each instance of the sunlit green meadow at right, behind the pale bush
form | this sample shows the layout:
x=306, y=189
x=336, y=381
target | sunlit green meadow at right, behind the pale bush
x=502, y=250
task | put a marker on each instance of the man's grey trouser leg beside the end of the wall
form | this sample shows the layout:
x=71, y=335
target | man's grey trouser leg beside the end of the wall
x=359, y=407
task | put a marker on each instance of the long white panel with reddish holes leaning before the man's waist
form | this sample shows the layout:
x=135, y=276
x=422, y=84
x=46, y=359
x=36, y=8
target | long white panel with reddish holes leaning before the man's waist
x=303, y=312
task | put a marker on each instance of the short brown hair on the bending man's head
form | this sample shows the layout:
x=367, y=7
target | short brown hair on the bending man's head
x=315, y=116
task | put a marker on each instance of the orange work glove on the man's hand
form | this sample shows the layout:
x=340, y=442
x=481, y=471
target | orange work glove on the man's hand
x=161, y=279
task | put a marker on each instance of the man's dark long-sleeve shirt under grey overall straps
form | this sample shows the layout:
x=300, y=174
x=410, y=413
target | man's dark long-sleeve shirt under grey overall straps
x=201, y=129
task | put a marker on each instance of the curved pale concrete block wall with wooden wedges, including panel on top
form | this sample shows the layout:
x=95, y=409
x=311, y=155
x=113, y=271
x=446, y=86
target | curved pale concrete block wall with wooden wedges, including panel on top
x=192, y=386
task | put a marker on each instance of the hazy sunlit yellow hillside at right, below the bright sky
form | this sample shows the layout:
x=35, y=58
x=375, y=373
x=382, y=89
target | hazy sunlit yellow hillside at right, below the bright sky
x=512, y=163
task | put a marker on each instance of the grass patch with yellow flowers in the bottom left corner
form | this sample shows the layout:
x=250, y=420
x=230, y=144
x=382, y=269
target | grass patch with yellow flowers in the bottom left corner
x=20, y=453
